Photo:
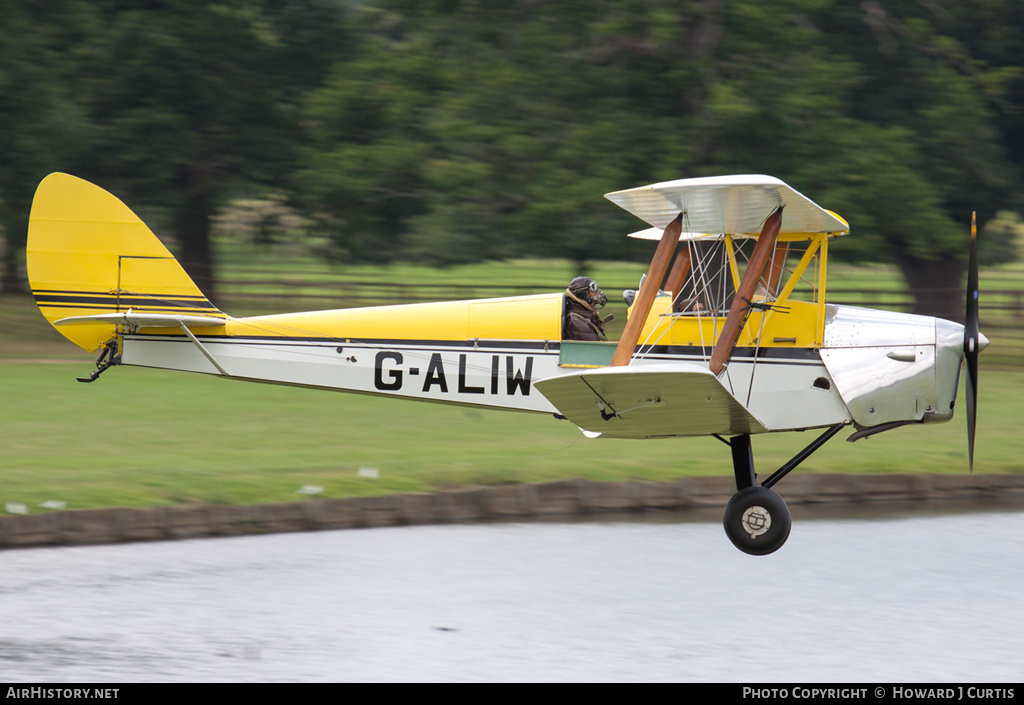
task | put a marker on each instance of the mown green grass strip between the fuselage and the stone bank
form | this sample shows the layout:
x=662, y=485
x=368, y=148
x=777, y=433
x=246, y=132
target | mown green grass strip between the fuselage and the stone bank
x=145, y=438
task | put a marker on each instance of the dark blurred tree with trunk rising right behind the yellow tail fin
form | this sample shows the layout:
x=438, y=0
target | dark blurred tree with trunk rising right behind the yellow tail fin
x=192, y=102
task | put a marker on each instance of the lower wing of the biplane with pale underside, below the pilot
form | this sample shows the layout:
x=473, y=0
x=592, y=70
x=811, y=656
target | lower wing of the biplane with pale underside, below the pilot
x=650, y=401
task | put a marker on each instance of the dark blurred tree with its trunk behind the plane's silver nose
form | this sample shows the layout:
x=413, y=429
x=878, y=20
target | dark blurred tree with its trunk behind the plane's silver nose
x=937, y=104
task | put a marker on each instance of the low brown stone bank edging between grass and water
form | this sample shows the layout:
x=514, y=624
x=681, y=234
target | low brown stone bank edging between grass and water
x=561, y=500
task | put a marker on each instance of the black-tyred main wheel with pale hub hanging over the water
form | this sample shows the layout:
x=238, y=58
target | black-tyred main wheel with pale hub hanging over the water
x=757, y=521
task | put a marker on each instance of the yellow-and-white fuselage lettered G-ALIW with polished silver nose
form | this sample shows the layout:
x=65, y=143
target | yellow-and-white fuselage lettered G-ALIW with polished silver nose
x=869, y=367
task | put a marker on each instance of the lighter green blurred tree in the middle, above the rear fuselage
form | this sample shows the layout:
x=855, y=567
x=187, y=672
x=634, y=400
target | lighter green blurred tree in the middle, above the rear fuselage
x=465, y=132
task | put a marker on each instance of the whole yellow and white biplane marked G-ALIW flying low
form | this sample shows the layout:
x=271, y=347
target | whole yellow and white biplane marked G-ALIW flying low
x=729, y=335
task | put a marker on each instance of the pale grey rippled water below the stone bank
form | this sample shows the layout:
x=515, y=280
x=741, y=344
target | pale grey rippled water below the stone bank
x=920, y=599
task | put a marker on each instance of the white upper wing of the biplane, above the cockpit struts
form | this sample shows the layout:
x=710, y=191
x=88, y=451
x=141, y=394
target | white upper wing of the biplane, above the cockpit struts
x=734, y=205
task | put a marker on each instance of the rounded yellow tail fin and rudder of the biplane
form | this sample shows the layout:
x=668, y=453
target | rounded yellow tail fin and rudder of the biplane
x=89, y=255
